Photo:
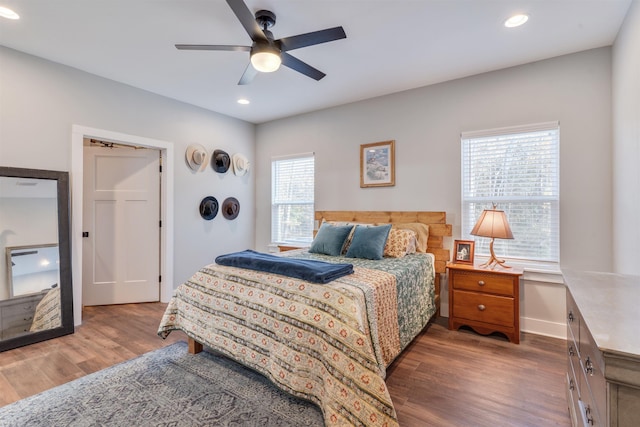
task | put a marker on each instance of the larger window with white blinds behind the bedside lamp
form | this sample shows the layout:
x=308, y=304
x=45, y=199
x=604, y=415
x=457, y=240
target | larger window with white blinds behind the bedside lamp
x=517, y=169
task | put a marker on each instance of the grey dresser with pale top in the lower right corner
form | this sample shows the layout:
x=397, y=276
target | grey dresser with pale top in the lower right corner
x=603, y=348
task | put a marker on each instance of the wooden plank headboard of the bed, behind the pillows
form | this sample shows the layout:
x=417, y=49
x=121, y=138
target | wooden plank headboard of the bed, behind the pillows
x=438, y=230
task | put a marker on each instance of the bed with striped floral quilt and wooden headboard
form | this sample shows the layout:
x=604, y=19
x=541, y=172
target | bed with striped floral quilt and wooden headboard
x=328, y=343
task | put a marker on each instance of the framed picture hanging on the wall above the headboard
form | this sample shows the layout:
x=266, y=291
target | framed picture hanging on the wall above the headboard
x=377, y=164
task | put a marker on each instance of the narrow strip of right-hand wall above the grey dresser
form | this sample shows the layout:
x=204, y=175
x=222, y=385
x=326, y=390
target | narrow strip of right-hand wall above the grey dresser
x=626, y=144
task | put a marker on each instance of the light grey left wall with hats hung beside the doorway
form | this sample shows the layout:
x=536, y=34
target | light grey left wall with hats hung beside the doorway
x=42, y=100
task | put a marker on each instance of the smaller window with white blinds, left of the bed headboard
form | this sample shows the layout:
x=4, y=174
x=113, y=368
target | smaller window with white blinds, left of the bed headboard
x=292, y=208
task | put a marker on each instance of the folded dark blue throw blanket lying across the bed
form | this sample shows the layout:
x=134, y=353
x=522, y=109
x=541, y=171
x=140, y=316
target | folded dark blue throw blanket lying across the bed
x=305, y=269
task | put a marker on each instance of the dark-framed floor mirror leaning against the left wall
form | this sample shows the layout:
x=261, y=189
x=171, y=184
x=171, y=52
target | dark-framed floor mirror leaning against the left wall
x=36, y=293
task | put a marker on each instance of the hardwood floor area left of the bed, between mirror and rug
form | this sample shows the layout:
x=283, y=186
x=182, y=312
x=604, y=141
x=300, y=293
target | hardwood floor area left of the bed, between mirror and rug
x=108, y=335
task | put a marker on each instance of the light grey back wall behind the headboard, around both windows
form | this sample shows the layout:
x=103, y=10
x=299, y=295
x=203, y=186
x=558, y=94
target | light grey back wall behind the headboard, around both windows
x=426, y=124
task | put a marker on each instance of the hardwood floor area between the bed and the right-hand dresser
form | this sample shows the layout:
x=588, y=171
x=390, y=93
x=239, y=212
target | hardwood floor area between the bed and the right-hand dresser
x=459, y=378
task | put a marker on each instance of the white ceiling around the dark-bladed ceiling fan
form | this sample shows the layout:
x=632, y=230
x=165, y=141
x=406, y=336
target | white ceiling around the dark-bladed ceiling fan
x=391, y=45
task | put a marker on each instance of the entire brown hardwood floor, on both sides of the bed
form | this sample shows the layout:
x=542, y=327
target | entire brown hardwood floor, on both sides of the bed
x=445, y=378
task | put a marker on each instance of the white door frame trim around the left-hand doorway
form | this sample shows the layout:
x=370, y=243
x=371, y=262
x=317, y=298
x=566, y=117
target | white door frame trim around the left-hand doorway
x=78, y=134
